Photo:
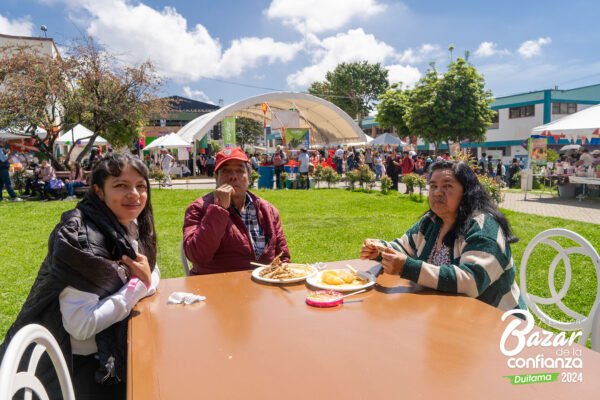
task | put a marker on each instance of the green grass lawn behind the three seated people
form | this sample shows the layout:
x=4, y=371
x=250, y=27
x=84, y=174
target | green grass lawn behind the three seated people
x=320, y=225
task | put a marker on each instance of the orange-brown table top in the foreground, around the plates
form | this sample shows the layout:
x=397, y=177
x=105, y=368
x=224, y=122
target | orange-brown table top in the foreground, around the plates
x=257, y=341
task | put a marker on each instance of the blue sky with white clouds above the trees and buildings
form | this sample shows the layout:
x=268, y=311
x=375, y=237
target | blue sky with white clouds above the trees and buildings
x=229, y=50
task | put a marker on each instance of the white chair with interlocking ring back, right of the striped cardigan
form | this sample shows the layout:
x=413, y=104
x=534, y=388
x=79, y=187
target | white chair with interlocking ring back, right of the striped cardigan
x=590, y=324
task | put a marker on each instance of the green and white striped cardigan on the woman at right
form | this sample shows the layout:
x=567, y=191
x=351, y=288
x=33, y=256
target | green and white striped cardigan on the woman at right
x=482, y=263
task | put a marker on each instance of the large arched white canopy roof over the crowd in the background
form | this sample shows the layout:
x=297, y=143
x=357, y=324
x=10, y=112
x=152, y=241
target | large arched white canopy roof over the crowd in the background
x=328, y=122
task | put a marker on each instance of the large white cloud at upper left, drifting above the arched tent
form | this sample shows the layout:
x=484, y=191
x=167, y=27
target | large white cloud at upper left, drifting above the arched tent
x=136, y=32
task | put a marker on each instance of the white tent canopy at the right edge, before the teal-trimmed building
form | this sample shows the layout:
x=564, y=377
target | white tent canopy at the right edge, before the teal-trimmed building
x=583, y=123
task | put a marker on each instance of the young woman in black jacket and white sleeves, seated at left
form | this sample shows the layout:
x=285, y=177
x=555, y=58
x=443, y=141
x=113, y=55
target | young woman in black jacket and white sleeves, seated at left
x=101, y=261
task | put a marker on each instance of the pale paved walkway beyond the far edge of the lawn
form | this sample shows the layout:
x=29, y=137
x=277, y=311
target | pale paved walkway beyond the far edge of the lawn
x=586, y=210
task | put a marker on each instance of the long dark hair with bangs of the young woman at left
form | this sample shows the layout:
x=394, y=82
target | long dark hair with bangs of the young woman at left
x=113, y=164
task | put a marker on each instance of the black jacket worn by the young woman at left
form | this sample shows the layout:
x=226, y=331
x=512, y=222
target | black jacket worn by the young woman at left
x=83, y=252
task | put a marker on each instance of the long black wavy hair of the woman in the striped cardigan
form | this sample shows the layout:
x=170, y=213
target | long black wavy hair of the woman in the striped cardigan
x=475, y=200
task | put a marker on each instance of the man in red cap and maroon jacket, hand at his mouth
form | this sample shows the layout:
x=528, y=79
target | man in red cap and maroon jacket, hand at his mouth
x=229, y=228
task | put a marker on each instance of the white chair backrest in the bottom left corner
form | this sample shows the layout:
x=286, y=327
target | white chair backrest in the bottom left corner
x=11, y=381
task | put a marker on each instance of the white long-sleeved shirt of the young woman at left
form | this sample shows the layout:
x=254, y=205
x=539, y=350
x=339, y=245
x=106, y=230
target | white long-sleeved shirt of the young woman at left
x=84, y=315
